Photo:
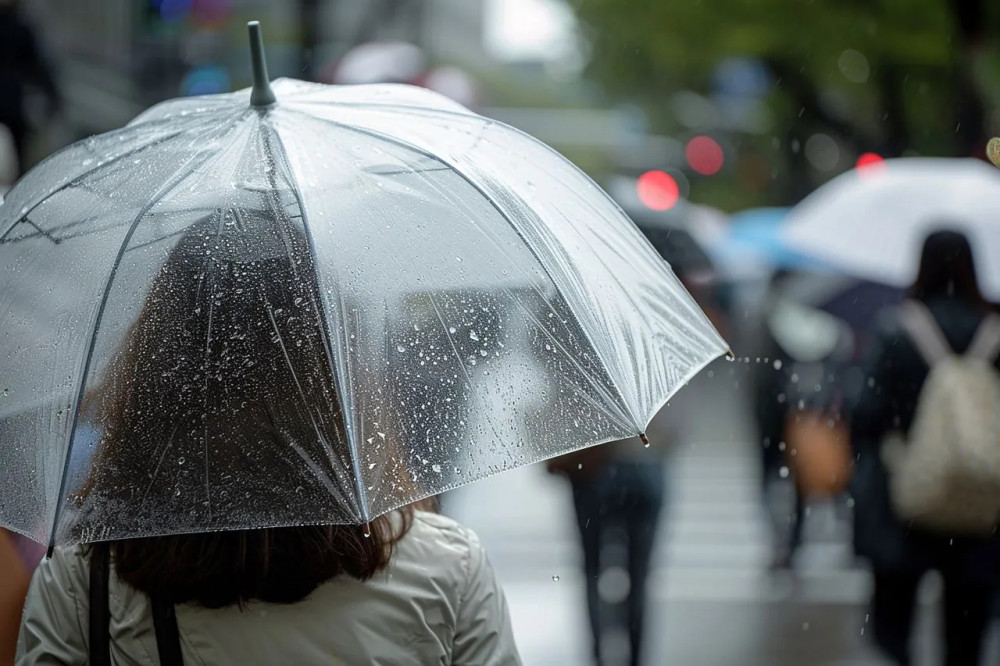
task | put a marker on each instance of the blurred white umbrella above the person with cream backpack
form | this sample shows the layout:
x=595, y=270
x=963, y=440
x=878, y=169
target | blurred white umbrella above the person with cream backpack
x=871, y=222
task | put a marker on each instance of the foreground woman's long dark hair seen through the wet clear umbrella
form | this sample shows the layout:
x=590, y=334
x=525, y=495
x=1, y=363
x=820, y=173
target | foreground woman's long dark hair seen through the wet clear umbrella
x=227, y=369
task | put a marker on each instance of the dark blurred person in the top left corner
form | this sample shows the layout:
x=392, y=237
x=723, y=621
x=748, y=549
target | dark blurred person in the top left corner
x=21, y=64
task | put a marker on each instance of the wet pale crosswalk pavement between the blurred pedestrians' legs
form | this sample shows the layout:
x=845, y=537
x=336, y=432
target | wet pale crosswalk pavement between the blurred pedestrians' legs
x=712, y=599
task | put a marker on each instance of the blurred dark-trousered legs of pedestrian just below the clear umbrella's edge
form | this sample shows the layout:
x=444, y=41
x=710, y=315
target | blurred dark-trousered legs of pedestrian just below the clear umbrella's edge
x=618, y=495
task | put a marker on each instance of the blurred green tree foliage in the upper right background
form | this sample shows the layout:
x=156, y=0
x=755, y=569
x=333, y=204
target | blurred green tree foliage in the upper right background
x=923, y=86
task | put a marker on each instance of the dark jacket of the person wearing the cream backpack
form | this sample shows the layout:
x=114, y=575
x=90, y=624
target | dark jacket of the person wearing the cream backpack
x=895, y=373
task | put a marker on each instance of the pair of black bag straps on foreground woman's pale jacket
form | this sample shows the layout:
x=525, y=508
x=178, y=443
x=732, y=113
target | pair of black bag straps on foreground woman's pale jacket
x=168, y=642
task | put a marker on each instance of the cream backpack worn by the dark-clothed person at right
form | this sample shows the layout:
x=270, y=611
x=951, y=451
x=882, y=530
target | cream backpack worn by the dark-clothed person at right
x=947, y=477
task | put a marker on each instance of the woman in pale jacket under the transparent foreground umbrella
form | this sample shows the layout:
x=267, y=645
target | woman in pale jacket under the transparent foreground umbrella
x=410, y=587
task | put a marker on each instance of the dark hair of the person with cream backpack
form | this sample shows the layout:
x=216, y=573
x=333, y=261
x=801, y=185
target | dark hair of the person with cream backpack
x=947, y=269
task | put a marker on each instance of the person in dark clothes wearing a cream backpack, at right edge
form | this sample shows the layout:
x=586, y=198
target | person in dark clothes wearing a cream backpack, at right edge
x=926, y=433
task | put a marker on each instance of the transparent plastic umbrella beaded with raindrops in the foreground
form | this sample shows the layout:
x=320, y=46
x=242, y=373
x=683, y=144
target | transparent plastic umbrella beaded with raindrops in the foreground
x=314, y=306
